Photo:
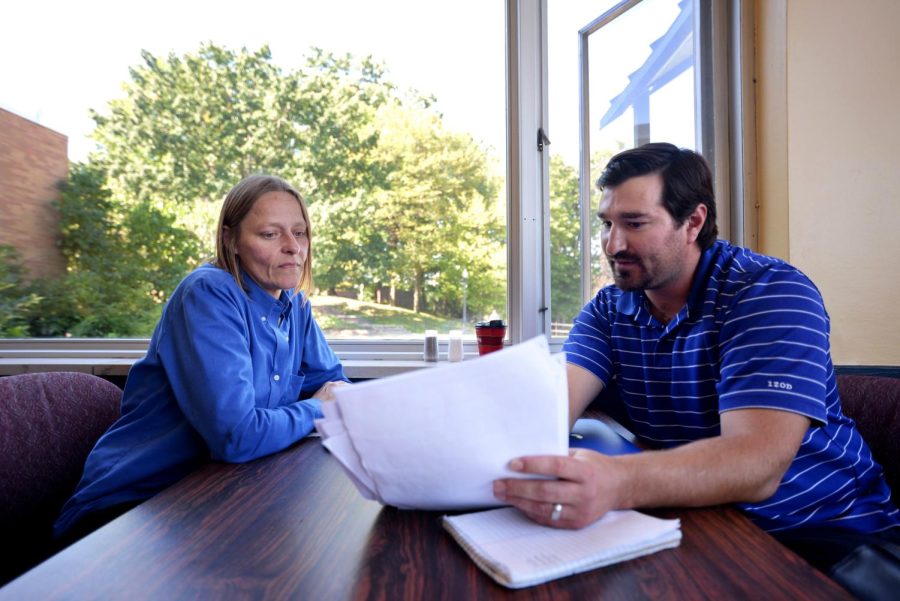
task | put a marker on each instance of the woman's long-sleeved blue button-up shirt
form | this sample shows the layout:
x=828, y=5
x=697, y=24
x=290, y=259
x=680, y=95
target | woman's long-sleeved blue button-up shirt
x=223, y=378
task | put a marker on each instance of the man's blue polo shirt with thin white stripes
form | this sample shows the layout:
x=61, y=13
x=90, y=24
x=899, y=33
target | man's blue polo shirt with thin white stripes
x=753, y=334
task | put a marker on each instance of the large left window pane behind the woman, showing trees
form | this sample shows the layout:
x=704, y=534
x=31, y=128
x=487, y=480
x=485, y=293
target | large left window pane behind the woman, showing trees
x=401, y=156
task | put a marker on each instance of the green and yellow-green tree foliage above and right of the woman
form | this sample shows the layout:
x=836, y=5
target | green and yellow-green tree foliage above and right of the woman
x=397, y=201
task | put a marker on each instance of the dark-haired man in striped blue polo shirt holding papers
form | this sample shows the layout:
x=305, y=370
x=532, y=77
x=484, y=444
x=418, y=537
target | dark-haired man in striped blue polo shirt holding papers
x=722, y=362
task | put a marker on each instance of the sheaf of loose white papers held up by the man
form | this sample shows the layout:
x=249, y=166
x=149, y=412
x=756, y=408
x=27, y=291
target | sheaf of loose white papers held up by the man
x=437, y=438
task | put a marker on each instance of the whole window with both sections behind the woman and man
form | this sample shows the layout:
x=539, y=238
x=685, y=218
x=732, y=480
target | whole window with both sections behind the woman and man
x=427, y=216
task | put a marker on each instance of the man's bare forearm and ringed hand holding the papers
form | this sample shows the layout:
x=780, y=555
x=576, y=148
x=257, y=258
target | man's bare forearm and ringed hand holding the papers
x=743, y=464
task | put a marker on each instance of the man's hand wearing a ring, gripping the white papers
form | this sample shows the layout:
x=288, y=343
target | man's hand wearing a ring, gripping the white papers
x=586, y=485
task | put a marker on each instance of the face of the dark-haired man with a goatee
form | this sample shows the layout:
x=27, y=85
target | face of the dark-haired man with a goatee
x=645, y=248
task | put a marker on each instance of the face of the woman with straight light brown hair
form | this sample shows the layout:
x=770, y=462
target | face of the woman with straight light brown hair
x=273, y=243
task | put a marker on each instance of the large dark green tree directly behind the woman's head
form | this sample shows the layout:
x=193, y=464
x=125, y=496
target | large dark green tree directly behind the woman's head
x=190, y=127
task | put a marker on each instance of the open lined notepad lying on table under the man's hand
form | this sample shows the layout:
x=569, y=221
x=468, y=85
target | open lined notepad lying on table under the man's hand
x=517, y=552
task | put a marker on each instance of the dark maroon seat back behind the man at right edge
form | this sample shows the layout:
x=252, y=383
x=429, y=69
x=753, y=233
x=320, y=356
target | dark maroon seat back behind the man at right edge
x=874, y=404
